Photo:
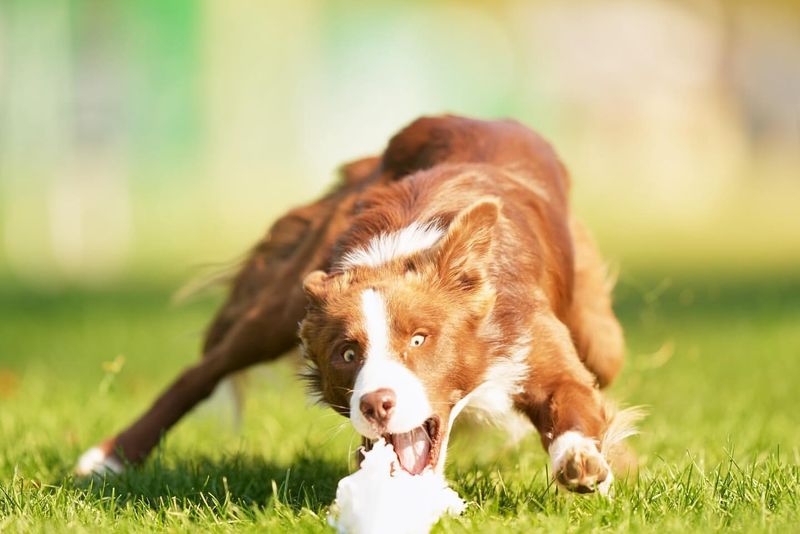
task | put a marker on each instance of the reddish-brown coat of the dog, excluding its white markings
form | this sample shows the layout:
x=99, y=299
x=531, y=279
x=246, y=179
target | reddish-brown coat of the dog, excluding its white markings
x=514, y=264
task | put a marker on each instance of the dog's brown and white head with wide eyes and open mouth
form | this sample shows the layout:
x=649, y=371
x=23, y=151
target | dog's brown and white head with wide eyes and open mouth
x=395, y=346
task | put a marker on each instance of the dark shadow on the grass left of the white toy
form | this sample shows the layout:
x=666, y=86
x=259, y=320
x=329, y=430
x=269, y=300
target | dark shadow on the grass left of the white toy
x=243, y=481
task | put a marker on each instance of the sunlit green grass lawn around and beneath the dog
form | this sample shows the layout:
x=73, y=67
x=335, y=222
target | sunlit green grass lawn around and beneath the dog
x=717, y=363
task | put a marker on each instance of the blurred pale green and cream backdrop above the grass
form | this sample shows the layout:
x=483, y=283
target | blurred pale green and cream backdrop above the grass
x=139, y=140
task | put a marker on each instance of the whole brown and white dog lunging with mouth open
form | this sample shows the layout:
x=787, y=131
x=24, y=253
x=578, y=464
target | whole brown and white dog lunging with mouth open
x=446, y=274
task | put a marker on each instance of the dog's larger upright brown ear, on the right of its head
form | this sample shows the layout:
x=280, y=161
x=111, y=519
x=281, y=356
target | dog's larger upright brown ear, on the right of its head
x=464, y=254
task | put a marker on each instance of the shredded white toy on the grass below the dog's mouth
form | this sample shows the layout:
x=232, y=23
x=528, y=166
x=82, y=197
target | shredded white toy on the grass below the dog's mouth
x=382, y=497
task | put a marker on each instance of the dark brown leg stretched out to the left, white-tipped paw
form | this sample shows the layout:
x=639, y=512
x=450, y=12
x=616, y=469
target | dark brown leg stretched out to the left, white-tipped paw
x=257, y=323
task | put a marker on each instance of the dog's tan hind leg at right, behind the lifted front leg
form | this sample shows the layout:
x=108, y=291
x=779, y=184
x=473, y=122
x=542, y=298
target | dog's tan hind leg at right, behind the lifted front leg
x=595, y=329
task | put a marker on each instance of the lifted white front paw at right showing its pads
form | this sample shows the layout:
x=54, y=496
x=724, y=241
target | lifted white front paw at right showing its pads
x=578, y=465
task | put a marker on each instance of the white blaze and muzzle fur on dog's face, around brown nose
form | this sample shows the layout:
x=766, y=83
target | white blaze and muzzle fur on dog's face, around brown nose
x=382, y=370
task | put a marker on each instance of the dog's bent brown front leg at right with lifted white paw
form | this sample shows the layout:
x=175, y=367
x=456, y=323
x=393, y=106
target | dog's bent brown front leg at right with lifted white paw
x=562, y=401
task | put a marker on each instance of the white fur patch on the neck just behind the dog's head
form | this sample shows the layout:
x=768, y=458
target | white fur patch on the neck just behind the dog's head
x=387, y=247
